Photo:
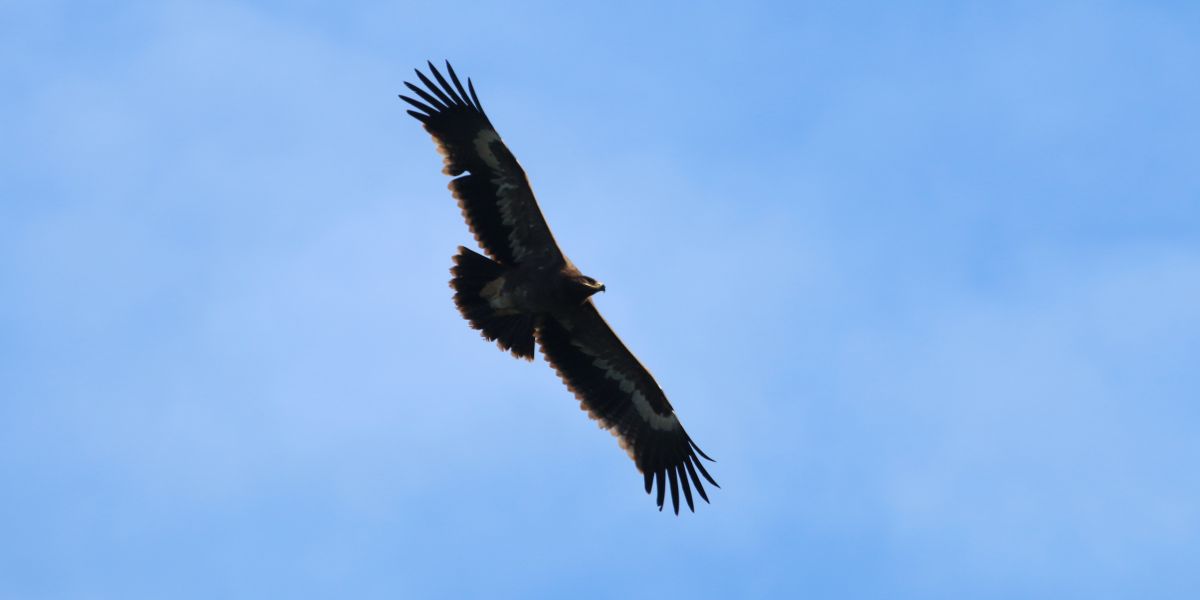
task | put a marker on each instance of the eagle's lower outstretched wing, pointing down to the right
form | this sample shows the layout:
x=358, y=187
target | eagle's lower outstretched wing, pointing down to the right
x=620, y=393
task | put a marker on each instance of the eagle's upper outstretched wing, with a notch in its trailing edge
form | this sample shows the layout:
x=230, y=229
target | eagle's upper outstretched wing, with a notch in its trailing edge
x=495, y=196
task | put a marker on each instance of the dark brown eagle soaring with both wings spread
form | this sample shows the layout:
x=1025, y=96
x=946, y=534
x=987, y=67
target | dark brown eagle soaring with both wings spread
x=527, y=292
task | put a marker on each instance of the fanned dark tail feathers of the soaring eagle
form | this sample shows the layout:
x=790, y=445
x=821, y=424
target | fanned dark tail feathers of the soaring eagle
x=477, y=281
